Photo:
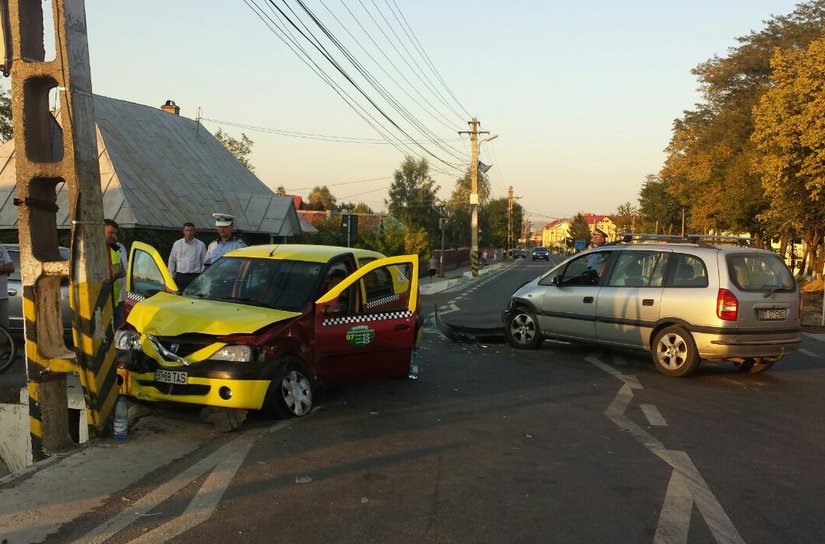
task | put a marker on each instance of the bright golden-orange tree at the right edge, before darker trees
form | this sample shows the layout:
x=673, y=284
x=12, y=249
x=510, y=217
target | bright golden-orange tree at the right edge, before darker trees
x=789, y=135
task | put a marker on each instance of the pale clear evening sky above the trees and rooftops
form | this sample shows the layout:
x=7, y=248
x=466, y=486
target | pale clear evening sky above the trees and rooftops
x=581, y=95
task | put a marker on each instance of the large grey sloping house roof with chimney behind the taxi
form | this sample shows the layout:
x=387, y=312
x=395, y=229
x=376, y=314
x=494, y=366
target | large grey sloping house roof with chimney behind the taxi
x=159, y=170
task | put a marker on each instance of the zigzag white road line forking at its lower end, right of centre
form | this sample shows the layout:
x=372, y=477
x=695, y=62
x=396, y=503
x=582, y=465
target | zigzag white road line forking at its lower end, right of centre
x=676, y=511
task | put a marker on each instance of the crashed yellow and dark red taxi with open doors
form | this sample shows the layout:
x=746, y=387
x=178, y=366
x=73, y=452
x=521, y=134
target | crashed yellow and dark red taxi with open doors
x=265, y=326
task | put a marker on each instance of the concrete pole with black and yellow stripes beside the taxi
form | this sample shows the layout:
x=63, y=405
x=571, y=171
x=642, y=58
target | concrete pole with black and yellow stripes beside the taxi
x=48, y=154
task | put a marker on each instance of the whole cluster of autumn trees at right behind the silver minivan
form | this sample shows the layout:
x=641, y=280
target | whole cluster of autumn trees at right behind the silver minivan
x=750, y=156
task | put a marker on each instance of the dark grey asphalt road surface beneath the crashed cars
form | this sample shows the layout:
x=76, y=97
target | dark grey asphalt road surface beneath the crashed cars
x=567, y=443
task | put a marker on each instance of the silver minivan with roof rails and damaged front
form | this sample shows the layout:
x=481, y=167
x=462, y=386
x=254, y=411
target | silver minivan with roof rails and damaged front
x=681, y=299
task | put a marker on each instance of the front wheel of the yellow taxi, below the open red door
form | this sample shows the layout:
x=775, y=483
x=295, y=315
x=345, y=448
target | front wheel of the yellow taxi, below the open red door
x=291, y=392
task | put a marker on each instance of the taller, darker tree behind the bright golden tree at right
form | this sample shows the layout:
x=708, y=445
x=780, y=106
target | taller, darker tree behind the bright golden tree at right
x=711, y=151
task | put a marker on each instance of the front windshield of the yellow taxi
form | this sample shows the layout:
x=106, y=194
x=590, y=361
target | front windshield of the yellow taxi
x=269, y=283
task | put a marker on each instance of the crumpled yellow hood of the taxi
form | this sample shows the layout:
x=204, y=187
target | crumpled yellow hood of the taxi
x=171, y=315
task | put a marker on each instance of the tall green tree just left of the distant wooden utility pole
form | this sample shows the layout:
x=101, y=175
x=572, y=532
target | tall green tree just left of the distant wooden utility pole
x=412, y=196
